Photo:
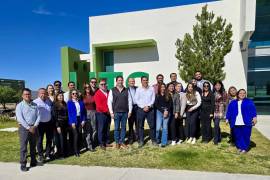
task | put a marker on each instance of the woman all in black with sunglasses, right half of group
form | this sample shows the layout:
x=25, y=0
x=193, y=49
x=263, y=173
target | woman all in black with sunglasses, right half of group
x=207, y=112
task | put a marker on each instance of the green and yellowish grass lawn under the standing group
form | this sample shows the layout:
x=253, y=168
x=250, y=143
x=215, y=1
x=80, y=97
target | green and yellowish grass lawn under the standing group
x=201, y=157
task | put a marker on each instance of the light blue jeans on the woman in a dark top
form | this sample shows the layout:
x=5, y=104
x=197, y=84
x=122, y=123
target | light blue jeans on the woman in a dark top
x=161, y=121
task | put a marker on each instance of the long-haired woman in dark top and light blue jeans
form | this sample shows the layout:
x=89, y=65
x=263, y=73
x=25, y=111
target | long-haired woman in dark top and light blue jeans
x=163, y=105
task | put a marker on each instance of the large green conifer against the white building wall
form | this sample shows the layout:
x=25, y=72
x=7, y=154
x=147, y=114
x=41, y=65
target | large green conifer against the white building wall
x=206, y=49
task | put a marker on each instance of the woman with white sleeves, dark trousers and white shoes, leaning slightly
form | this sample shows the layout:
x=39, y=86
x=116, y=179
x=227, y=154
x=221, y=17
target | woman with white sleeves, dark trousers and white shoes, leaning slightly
x=192, y=112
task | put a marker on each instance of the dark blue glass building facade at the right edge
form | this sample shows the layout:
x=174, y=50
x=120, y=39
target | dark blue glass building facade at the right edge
x=258, y=78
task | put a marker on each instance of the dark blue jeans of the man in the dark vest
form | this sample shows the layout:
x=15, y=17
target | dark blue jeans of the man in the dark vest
x=120, y=119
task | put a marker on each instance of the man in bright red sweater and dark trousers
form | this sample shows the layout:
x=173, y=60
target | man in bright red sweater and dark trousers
x=102, y=115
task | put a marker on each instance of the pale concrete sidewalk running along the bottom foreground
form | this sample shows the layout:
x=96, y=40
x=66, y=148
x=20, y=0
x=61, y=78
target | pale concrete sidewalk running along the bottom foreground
x=10, y=171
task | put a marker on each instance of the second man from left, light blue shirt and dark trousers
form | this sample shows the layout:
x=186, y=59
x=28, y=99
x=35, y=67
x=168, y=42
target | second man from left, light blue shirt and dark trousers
x=45, y=125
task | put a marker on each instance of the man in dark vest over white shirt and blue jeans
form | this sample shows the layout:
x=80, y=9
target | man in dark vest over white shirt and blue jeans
x=120, y=107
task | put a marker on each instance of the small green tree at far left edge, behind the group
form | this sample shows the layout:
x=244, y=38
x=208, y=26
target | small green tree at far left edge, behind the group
x=8, y=95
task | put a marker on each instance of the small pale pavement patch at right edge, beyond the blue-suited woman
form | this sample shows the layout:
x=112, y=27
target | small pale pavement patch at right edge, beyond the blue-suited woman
x=263, y=125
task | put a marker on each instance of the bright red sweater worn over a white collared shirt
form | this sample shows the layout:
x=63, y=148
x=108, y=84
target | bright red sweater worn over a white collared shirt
x=101, y=101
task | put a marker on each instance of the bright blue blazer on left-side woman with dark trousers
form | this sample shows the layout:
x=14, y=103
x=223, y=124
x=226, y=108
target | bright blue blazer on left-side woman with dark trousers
x=72, y=114
